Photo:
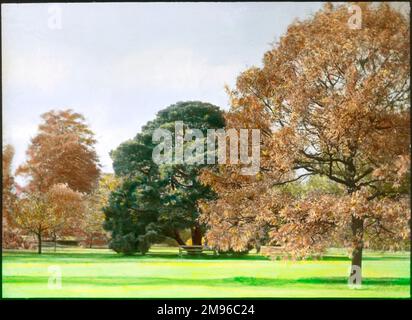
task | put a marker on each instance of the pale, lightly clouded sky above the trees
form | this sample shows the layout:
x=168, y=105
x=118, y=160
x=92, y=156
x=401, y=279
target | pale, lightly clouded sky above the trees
x=120, y=63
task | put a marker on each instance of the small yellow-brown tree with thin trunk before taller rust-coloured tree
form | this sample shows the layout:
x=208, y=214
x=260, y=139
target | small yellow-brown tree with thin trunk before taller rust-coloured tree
x=49, y=213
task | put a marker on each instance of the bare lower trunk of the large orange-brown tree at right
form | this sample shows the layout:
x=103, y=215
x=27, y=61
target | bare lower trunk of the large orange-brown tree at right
x=355, y=276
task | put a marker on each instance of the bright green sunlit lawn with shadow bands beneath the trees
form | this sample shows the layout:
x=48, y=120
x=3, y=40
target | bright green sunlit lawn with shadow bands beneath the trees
x=102, y=273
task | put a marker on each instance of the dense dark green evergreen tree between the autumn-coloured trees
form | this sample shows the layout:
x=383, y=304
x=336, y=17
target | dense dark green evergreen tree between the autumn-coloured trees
x=164, y=198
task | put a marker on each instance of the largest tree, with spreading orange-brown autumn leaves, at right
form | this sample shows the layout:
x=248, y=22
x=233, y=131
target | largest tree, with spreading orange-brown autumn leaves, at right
x=332, y=101
